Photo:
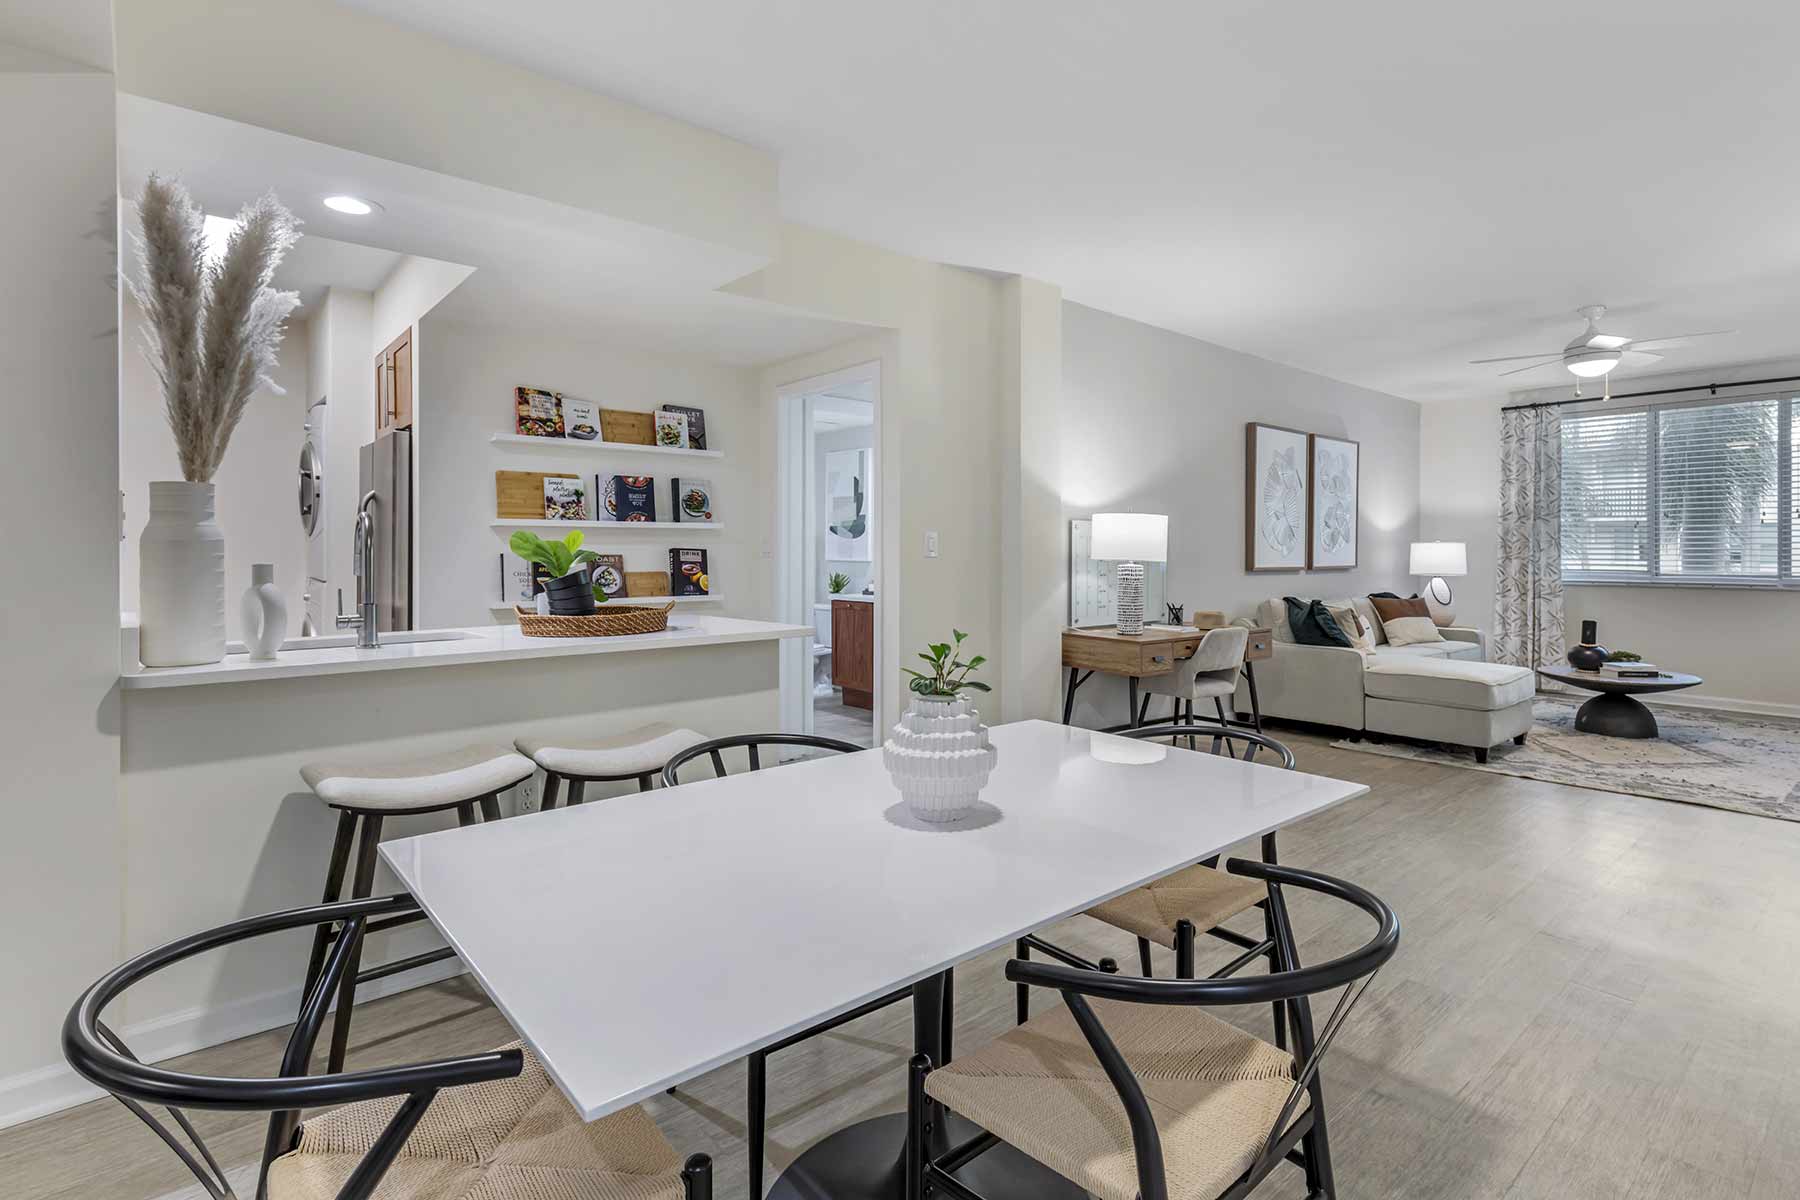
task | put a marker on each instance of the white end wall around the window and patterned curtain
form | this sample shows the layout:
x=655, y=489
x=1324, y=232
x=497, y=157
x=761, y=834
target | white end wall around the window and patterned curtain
x=1741, y=641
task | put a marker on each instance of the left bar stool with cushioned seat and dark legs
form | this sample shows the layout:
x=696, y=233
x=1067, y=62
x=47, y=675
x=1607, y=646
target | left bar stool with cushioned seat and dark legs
x=368, y=794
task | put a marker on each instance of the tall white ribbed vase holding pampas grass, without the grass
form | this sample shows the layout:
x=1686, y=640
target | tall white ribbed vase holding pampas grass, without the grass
x=181, y=578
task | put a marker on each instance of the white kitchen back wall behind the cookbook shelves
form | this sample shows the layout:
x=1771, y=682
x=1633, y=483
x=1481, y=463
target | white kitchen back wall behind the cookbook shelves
x=467, y=395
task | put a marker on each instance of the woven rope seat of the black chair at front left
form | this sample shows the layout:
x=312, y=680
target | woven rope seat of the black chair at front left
x=508, y=1140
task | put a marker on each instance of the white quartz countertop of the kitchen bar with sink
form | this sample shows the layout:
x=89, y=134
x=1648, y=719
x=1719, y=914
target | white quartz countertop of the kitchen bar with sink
x=440, y=649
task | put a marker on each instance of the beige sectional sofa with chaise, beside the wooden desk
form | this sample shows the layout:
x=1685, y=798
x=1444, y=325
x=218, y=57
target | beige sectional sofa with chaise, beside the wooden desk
x=1435, y=692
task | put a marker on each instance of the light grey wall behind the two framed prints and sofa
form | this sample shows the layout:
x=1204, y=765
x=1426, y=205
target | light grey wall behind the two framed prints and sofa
x=1155, y=422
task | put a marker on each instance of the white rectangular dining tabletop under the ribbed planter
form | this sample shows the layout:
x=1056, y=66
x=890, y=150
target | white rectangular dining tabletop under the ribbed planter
x=643, y=940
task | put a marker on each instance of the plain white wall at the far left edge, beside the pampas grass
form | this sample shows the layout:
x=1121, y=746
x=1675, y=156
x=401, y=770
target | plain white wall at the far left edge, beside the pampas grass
x=60, y=861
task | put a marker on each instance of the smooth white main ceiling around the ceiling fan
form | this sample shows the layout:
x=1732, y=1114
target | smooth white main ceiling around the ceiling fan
x=1372, y=192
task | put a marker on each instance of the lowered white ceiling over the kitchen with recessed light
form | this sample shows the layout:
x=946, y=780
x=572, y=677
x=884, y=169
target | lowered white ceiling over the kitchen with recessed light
x=541, y=267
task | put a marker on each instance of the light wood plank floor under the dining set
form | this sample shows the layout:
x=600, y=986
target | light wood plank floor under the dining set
x=1592, y=999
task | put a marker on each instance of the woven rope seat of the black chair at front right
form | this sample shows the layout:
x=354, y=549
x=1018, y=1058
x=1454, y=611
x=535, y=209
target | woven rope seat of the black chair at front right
x=1212, y=1088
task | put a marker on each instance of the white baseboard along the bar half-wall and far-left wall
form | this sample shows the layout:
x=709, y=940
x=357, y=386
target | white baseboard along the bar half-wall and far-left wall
x=39, y=1093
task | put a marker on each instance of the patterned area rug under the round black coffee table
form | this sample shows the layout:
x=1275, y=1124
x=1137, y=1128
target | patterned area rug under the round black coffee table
x=1722, y=760
